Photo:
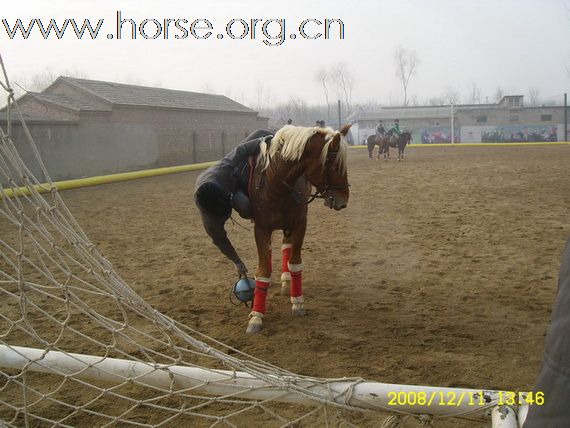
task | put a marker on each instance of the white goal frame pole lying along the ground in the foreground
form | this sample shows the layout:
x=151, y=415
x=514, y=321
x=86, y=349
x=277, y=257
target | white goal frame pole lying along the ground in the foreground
x=363, y=394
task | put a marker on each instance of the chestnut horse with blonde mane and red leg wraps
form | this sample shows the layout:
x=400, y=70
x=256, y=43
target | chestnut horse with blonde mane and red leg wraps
x=280, y=186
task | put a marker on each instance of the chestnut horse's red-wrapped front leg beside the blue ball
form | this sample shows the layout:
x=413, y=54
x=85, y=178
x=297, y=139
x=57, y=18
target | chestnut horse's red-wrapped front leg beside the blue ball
x=262, y=280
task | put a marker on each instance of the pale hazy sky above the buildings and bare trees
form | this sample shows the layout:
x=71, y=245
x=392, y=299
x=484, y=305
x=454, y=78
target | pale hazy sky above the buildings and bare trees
x=514, y=44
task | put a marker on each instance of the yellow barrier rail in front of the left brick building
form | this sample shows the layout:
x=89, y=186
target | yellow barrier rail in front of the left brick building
x=105, y=179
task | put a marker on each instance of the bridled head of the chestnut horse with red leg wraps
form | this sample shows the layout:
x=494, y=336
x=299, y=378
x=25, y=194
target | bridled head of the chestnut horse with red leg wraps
x=324, y=165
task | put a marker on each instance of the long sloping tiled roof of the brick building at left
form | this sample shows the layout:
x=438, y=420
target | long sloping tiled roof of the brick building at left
x=133, y=95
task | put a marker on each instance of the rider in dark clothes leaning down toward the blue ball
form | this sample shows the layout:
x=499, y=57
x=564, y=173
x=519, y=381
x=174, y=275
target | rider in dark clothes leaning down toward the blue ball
x=224, y=186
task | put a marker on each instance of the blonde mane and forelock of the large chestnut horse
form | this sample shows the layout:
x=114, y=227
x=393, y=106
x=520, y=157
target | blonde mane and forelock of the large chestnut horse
x=290, y=141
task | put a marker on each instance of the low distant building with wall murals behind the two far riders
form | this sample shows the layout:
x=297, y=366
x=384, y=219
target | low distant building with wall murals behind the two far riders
x=506, y=121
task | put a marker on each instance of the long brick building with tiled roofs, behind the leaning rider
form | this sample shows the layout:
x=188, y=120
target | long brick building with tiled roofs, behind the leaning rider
x=87, y=127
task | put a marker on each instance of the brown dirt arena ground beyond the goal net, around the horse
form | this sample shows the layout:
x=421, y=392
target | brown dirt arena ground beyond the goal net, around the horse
x=441, y=271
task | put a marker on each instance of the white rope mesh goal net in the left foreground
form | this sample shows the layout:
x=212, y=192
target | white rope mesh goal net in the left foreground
x=61, y=297
